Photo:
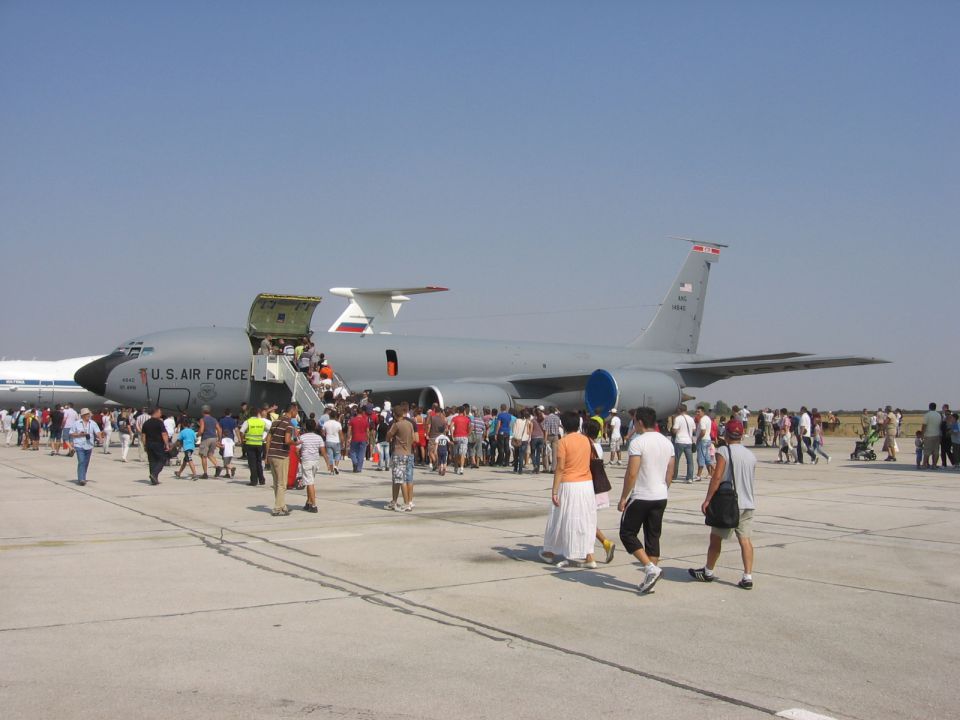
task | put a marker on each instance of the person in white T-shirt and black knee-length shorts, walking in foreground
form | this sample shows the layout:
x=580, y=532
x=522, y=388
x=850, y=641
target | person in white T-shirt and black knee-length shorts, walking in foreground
x=650, y=467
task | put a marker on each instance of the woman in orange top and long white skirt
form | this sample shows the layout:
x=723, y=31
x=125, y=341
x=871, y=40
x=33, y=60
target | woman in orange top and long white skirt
x=572, y=525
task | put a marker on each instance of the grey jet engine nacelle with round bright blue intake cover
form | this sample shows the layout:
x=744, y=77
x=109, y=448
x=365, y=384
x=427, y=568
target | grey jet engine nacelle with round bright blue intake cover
x=628, y=389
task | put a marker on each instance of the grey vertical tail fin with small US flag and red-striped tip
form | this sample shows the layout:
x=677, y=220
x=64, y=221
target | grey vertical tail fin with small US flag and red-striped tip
x=676, y=326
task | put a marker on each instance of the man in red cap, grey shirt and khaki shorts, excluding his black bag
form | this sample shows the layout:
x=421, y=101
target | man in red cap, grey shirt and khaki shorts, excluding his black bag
x=744, y=464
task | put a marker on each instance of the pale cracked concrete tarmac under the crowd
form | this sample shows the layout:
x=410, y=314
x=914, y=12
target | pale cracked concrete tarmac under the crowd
x=189, y=600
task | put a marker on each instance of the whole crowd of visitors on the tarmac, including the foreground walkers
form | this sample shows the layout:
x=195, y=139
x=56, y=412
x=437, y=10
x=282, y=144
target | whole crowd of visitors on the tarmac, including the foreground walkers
x=401, y=438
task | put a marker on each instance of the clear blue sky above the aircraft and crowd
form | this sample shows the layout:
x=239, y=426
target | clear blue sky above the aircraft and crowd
x=160, y=163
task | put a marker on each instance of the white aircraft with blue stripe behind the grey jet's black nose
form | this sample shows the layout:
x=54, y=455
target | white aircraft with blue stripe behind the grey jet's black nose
x=45, y=383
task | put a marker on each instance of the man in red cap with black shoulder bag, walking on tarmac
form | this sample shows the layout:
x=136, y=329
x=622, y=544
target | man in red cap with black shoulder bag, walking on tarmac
x=729, y=505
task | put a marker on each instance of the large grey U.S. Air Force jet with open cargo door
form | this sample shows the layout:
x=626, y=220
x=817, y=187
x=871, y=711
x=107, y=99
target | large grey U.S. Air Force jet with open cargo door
x=185, y=369
